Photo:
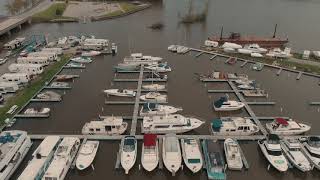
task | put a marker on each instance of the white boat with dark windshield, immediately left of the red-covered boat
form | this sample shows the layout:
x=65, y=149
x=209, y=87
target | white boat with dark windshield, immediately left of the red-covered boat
x=128, y=153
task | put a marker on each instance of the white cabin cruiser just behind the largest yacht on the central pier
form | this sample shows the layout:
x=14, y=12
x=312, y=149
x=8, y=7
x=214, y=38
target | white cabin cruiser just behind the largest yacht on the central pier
x=153, y=109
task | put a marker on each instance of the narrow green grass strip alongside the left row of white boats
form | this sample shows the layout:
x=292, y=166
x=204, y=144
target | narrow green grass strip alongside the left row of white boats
x=25, y=94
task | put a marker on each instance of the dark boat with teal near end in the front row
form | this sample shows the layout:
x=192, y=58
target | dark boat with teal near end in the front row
x=214, y=161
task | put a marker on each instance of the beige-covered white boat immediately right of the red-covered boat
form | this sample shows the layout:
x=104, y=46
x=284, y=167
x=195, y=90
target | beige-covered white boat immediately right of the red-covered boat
x=171, y=153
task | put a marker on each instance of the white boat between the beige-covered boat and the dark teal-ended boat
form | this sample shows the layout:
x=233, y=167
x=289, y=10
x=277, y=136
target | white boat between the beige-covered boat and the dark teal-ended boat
x=191, y=154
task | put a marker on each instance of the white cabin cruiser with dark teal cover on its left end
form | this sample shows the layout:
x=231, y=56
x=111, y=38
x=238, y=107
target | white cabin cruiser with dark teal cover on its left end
x=233, y=126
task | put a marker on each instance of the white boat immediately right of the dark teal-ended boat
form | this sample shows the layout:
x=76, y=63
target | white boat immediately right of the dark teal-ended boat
x=233, y=155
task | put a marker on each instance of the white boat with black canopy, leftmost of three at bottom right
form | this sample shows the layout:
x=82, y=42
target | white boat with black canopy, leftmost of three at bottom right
x=271, y=149
